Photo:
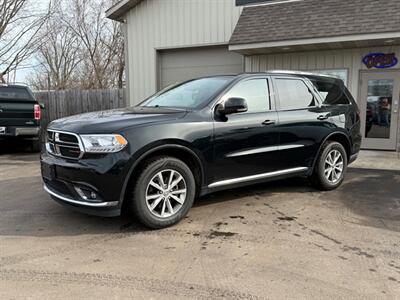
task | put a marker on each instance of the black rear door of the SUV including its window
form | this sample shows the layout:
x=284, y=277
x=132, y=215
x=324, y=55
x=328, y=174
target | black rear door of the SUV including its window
x=302, y=122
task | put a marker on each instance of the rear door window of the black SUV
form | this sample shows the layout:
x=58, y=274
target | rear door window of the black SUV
x=294, y=94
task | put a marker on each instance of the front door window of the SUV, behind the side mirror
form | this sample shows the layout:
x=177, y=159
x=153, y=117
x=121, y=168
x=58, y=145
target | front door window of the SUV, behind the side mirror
x=256, y=93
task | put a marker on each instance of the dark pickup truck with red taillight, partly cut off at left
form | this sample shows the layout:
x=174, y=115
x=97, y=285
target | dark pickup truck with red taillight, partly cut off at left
x=20, y=115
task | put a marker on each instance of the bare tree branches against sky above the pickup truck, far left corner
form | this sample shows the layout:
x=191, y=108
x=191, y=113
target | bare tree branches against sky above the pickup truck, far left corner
x=20, y=23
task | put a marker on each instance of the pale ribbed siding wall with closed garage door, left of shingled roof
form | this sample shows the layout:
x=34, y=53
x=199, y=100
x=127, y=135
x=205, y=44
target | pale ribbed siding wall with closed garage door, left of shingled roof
x=172, y=40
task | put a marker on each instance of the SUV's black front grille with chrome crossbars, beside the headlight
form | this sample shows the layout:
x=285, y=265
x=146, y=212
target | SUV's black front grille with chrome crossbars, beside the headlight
x=63, y=144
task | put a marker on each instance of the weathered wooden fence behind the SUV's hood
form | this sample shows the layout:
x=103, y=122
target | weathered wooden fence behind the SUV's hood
x=59, y=104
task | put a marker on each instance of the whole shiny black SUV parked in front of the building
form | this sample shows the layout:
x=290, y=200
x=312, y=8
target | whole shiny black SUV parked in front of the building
x=201, y=136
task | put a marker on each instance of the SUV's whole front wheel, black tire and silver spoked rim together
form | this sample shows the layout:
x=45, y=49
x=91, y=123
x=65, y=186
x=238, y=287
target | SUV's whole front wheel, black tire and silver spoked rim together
x=147, y=192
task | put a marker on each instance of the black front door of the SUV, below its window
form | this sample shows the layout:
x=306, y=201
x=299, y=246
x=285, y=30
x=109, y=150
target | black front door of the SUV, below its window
x=244, y=146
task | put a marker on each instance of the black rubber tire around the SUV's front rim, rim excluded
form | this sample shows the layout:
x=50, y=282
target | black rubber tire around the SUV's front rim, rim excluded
x=141, y=210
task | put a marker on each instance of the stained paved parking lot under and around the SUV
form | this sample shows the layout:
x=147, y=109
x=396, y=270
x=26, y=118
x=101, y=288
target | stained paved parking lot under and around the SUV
x=275, y=240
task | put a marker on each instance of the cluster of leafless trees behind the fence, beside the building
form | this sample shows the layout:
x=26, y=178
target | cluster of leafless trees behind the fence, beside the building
x=81, y=48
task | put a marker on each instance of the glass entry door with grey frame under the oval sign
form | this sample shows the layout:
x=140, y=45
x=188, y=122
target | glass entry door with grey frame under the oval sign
x=380, y=93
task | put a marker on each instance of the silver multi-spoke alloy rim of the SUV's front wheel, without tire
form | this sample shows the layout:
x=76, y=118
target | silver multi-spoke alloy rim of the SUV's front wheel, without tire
x=166, y=193
